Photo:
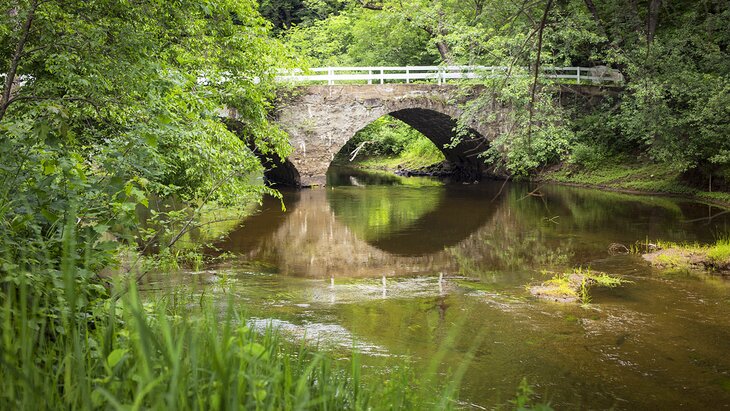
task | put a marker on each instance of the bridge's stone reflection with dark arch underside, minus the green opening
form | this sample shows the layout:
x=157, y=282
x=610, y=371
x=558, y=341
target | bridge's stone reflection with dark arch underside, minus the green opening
x=310, y=240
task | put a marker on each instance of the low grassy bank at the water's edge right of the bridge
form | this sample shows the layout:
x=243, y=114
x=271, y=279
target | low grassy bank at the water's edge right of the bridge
x=633, y=177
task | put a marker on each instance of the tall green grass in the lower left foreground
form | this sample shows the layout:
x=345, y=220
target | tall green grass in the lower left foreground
x=61, y=350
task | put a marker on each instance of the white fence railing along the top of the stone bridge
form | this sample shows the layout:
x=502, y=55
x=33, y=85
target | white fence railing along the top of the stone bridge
x=441, y=74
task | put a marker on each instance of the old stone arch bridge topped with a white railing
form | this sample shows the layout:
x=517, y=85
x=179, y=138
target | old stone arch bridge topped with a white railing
x=321, y=119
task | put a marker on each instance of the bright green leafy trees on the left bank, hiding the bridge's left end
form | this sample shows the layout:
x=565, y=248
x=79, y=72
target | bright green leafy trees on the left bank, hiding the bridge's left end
x=120, y=101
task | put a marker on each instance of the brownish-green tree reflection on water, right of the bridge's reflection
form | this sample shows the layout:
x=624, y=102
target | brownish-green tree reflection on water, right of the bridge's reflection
x=566, y=227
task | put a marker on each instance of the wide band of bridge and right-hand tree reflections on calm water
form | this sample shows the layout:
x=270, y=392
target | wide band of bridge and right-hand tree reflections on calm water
x=378, y=230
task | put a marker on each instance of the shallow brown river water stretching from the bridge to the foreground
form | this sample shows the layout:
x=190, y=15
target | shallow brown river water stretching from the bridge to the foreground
x=456, y=259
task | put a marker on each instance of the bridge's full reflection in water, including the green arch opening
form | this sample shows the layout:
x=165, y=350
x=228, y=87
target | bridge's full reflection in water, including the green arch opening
x=362, y=232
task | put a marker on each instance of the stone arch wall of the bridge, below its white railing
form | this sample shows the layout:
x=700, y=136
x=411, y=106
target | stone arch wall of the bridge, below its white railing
x=321, y=119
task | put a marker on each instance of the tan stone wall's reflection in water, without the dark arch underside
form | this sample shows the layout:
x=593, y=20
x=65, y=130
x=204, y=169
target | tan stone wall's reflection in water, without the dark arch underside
x=309, y=240
